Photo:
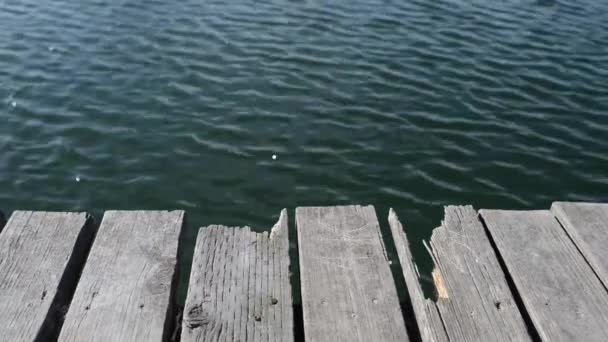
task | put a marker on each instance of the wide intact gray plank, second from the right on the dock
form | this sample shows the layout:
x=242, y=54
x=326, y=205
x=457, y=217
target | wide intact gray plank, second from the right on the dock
x=561, y=293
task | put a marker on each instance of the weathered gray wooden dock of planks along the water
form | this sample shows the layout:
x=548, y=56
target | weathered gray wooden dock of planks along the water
x=499, y=275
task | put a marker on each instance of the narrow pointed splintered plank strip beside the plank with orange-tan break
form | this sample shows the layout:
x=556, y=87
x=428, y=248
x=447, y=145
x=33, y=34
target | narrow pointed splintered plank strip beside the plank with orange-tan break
x=428, y=319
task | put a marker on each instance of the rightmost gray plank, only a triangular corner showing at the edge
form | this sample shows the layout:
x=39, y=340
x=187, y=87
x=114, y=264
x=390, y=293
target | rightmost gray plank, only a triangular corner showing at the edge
x=587, y=225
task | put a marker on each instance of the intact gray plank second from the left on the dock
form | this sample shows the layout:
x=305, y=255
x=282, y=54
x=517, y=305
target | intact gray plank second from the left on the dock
x=126, y=291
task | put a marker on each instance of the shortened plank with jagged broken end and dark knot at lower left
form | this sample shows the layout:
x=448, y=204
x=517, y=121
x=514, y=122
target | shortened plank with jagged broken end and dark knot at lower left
x=239, y=286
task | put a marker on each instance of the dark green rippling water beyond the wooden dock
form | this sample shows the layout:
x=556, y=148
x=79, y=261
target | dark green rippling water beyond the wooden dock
x=411, y=104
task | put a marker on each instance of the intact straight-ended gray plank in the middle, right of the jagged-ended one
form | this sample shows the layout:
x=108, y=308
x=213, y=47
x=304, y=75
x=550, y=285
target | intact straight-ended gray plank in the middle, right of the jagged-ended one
x=348, y=293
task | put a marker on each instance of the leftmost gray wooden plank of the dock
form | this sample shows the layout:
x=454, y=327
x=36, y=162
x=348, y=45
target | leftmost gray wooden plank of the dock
x=41, y=255
